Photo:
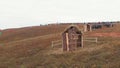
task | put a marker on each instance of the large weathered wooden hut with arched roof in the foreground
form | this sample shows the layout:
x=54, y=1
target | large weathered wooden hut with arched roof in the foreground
x=72, y=38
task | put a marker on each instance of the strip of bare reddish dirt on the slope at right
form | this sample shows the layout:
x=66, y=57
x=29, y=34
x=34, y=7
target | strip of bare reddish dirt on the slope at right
x=113, y=34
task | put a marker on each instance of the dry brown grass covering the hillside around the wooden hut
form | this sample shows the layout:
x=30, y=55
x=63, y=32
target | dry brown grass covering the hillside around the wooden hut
x=29, y=47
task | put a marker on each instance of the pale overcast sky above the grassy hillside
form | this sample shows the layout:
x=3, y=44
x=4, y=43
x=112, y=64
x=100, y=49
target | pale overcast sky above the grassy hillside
x=20, y=13
